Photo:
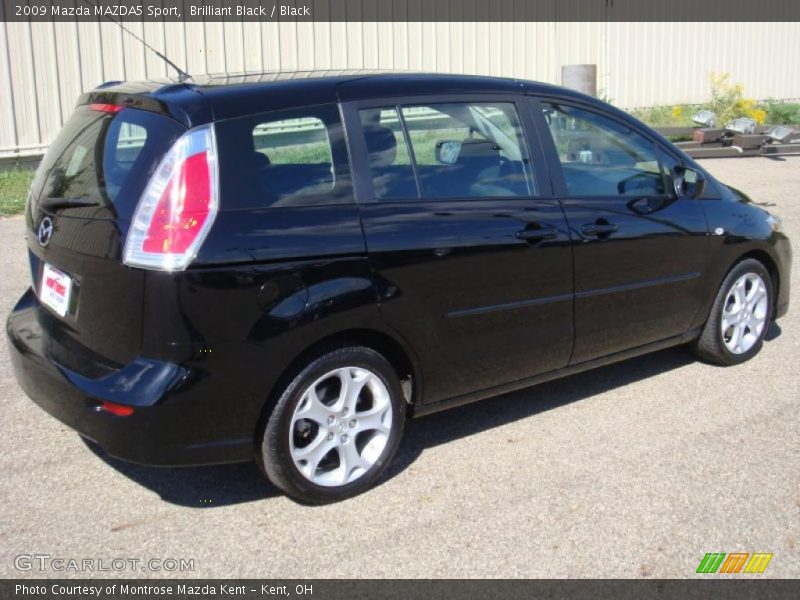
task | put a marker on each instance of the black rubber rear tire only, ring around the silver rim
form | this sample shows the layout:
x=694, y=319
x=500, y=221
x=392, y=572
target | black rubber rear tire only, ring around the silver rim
x=275, y=447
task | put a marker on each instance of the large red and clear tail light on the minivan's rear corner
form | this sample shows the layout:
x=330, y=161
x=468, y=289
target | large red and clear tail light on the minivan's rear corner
x=178, y=205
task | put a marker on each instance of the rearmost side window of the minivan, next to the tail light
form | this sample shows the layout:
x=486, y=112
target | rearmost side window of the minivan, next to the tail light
x=286, y=158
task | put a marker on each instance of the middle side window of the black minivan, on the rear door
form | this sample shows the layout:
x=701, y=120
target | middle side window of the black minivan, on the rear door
x=457, y=150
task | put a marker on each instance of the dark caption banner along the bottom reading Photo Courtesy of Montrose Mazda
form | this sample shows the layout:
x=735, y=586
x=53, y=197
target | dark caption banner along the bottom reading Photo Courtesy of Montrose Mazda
x=374, y=589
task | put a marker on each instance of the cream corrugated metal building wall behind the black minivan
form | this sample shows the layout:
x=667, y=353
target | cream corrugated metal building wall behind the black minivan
x=45, y=66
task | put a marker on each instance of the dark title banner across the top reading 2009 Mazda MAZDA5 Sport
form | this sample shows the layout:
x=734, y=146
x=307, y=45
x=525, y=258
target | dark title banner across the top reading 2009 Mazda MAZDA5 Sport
x=402, y=10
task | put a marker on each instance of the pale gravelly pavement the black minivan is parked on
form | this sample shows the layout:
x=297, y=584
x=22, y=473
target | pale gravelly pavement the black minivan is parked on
x=633, y=470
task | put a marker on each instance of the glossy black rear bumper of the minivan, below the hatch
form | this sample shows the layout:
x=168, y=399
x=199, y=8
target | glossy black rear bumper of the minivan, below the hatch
x=171, y=424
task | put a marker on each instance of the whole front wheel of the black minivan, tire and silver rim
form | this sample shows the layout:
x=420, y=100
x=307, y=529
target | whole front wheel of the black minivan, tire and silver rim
x=740, y=316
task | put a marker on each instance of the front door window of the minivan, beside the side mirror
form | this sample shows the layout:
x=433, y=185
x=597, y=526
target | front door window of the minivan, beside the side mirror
x=601, y=157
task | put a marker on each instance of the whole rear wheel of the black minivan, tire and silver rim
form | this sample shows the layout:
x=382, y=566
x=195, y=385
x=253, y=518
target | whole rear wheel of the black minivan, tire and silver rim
x=328, y=445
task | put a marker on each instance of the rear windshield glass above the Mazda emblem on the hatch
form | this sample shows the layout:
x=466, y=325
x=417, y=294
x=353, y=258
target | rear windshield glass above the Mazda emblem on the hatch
x=103, y=161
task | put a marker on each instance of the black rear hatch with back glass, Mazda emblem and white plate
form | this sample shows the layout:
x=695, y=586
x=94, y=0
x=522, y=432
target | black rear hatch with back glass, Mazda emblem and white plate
x=82, y=200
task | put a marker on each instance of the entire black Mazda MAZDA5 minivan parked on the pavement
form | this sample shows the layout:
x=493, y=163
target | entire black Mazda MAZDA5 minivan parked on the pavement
x=287, y=267
